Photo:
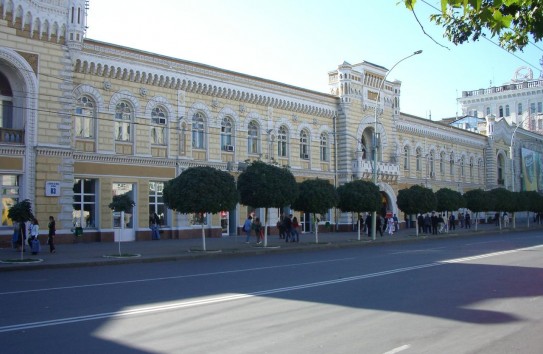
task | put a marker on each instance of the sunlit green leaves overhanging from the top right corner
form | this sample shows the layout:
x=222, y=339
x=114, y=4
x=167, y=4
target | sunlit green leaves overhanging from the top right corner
x=514, y=22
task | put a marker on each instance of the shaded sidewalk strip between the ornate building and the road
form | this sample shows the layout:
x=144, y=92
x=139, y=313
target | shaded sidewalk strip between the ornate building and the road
x=98, y=253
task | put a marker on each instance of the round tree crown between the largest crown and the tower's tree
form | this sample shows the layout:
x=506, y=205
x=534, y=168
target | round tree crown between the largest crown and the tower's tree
x=316, y=196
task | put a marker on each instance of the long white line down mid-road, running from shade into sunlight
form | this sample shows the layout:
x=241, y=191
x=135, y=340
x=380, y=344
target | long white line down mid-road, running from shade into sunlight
x=218, y=299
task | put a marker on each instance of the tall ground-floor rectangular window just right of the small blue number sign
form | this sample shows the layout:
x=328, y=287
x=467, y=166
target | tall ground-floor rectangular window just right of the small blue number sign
x=84, y=206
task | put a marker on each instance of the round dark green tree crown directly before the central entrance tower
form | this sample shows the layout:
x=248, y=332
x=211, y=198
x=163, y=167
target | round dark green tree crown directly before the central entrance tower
x=359, y=196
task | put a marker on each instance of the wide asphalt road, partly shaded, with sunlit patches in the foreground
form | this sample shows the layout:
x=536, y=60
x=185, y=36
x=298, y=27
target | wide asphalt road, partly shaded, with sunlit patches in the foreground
x=476, y=294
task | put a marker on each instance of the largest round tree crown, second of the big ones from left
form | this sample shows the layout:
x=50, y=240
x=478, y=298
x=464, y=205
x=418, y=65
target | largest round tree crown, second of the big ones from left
x=263, y=185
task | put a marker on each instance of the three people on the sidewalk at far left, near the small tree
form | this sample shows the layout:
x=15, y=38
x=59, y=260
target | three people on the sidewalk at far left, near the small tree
x=20, y=232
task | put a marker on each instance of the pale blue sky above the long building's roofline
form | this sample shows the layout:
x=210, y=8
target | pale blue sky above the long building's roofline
x=299, y=42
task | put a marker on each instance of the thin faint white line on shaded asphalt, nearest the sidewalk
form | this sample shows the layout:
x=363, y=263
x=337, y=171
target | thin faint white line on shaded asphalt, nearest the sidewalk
x=175, y=277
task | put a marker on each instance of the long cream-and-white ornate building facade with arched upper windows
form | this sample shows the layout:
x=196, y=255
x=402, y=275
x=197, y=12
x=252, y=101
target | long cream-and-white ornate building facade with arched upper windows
x=84, y=120
